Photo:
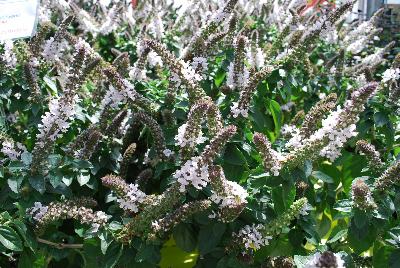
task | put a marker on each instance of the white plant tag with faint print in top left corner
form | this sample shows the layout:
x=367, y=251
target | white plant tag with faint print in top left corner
x=18, y=18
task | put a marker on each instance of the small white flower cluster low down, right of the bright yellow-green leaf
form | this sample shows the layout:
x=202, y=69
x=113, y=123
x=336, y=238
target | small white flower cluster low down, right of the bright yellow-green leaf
x=252, y=237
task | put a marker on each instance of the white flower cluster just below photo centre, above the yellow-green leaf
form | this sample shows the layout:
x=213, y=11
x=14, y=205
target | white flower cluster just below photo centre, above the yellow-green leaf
x=192, y=174
